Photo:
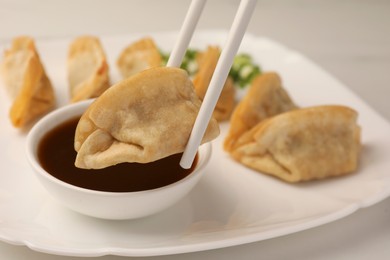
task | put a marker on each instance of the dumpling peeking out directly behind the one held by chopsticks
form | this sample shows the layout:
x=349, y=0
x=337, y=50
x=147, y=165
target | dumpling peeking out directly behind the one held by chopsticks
x=138, y=56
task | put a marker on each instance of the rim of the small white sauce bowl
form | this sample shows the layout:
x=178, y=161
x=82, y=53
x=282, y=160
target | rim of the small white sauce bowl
x=71, y=110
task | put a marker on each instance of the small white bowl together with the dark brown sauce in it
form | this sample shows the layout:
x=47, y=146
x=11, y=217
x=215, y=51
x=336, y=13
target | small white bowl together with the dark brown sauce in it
x=114, y=196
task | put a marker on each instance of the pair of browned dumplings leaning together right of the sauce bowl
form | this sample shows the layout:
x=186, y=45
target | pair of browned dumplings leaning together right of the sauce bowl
x=270, y=134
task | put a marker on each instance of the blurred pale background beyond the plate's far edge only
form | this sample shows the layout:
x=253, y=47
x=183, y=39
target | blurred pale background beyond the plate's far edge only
x=349, y=38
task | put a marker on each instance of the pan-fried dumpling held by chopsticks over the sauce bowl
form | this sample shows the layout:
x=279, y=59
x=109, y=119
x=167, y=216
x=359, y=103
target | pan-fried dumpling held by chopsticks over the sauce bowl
x=140, y=119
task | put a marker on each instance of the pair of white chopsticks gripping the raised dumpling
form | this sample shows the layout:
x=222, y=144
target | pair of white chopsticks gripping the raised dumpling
x=237, y=31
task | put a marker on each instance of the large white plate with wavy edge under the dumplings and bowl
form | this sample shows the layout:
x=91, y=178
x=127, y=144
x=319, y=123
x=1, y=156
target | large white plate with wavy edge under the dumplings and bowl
x=231, y=205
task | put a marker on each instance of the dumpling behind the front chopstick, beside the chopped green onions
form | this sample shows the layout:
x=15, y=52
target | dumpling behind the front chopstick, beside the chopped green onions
x=207, y=61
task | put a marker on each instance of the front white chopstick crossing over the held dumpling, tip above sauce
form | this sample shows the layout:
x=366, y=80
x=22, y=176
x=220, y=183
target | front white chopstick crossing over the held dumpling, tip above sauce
x=217, y=82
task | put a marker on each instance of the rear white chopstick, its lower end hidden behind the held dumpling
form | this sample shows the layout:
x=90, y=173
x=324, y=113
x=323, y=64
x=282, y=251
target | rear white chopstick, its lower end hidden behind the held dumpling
x=186, y=32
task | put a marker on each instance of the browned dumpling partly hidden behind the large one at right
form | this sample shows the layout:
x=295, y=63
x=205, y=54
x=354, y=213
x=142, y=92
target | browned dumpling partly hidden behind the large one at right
x=266, y=97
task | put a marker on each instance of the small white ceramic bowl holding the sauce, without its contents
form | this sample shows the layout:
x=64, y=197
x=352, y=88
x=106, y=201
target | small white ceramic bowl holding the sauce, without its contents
x=100, y=204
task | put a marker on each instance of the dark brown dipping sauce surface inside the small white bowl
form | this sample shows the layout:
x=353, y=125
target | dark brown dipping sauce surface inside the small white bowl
x=57, y=155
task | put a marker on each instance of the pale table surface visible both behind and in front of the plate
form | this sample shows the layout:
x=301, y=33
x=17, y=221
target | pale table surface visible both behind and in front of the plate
x=350, y=39
